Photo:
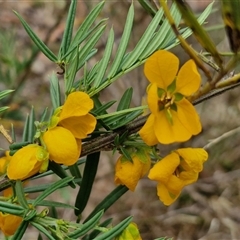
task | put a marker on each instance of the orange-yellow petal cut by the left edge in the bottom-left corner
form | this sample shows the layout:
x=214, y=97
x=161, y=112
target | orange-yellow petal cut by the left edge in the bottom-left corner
x=9, y=223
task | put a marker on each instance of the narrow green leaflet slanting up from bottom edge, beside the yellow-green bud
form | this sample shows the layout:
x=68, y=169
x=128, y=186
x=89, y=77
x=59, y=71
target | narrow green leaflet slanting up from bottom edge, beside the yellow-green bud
x=113, y=232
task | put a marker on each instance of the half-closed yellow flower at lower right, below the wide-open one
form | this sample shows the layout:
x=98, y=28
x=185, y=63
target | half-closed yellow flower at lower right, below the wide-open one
x=176, y=170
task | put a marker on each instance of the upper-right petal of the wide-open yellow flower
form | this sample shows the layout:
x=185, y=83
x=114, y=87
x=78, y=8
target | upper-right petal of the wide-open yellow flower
x=188, y=79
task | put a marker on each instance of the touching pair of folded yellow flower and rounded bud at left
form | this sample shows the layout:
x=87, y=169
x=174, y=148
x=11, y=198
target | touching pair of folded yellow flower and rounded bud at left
x=61, y=142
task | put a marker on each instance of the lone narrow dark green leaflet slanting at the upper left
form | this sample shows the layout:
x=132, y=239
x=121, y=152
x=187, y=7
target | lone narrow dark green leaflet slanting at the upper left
x=40, y=44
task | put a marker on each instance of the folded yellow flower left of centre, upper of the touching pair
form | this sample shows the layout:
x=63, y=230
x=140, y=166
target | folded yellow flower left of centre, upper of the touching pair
x=68, y=126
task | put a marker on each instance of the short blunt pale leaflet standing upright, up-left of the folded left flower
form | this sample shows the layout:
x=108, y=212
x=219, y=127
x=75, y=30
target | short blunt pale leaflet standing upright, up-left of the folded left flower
x=55, y=91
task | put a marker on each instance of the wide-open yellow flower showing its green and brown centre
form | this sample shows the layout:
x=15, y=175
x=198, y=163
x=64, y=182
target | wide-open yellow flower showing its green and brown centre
x=173, y=118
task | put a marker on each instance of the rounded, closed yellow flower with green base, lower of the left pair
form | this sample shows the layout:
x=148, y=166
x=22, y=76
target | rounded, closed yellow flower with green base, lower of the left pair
x=27, y=161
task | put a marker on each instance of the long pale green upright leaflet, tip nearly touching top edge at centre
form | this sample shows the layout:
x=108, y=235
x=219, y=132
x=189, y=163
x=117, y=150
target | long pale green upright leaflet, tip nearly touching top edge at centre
x=123, y=43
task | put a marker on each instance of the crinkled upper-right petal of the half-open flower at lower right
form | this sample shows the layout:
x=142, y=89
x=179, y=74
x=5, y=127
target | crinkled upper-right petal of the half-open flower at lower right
x=193, y=158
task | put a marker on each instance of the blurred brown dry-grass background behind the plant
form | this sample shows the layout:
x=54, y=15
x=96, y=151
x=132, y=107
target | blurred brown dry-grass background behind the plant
x=207, y=209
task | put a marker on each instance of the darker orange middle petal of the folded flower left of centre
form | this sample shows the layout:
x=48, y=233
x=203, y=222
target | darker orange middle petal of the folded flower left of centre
x=81, y=126
